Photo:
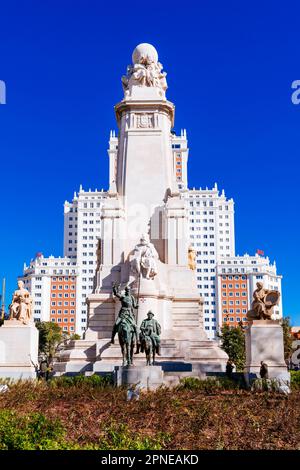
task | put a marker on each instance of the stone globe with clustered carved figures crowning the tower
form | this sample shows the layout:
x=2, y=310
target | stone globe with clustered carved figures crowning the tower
x=146, y=70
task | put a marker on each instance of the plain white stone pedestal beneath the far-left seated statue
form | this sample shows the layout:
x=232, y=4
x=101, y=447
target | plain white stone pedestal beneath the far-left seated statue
x=18, y=347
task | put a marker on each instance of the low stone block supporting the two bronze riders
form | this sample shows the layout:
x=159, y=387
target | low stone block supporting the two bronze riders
x=148, y=377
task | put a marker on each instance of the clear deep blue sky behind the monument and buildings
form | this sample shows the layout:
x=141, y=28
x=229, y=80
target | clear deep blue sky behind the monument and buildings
x=230, y=67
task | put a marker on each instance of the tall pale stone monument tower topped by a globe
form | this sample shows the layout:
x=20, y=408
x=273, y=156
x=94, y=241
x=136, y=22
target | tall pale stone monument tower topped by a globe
x=144, y=238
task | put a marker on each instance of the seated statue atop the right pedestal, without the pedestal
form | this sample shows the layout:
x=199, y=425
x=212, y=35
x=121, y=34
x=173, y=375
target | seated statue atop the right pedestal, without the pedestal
x=263, y=304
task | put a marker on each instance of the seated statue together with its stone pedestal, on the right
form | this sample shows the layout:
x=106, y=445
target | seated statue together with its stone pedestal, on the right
x=264, y=338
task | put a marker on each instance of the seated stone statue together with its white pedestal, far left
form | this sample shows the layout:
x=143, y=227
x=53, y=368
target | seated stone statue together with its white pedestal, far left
x=19, y=338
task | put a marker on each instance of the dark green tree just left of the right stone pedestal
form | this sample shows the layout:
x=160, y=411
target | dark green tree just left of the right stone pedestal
x=233, y=343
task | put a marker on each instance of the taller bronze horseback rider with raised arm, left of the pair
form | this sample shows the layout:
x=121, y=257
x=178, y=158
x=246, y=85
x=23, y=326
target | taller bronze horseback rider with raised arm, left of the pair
x=125, y=324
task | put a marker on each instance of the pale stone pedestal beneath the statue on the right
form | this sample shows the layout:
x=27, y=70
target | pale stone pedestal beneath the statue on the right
x=264, y=342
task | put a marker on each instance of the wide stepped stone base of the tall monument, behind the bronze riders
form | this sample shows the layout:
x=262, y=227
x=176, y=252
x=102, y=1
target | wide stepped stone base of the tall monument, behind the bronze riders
x=178, y=359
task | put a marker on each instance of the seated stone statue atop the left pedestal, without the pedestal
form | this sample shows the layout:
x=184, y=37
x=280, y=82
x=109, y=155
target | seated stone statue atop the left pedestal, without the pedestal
x=21, y=306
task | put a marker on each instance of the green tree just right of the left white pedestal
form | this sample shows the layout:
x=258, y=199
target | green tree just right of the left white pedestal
x=52, y=339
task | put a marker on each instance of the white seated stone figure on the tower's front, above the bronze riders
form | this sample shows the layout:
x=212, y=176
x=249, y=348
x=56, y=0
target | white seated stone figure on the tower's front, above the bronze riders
x=144, y=259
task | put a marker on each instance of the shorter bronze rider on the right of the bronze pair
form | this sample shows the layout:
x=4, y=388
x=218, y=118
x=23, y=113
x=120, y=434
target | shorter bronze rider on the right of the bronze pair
x=149, y=337
